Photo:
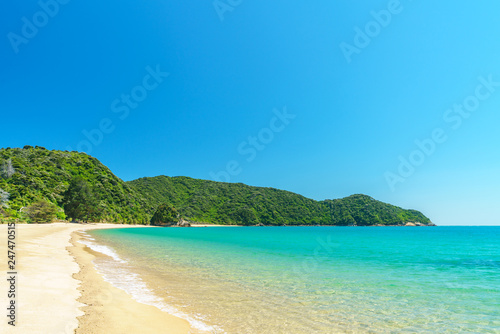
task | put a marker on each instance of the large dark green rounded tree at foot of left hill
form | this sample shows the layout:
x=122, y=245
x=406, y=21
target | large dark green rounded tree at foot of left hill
x=79, y=202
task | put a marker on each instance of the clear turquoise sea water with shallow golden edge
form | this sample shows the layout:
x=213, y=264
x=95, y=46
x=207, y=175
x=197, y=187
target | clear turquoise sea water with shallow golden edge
x=312, y=279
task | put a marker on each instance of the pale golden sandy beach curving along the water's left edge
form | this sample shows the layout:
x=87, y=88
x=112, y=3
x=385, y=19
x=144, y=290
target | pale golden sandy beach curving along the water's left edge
x=60, y=292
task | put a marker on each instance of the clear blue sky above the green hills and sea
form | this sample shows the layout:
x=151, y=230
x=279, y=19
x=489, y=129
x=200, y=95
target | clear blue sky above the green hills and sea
x=359, y=102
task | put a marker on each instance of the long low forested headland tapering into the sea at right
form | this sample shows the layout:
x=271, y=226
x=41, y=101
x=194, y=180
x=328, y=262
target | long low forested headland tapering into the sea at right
x=229, y=203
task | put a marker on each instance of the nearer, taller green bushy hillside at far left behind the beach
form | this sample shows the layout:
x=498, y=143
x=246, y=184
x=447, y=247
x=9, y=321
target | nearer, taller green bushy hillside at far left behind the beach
x=34, y=173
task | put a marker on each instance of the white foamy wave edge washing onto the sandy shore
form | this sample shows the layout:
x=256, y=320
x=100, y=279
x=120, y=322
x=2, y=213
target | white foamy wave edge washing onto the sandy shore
x=123, y=278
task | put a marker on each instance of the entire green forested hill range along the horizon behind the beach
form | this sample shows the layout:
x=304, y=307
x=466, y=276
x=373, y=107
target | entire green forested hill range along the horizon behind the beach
x=37, y=185
